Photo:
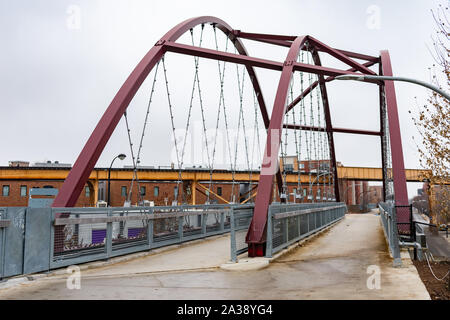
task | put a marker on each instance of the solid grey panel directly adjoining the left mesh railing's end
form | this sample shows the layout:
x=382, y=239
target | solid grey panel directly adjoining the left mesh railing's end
x=37, y=241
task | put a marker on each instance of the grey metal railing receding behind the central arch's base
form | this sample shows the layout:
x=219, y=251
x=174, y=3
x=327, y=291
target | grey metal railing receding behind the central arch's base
x=288, y=223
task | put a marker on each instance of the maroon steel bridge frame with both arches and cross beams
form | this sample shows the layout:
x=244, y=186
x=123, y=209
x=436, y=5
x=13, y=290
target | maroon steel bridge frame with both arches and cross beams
x=389, y=133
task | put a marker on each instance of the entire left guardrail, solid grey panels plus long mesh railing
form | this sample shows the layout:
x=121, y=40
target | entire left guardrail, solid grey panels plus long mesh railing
x=40, y=239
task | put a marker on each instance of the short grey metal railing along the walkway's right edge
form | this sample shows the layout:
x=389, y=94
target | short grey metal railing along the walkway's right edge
x=389, y=221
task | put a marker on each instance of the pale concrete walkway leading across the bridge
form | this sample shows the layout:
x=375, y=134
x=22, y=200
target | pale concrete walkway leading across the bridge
x=333, y=265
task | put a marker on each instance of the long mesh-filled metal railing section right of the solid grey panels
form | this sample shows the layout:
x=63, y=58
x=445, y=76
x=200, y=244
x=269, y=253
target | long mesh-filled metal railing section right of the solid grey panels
x=81, y=235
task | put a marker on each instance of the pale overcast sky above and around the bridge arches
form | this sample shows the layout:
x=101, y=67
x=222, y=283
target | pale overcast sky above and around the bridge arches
x=61, y=63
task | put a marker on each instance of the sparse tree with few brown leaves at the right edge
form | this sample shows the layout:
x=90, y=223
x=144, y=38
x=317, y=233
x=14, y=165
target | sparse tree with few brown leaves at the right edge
x=433, y=120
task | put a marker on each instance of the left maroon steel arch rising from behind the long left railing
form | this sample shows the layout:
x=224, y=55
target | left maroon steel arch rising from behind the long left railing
x=73, y=185
